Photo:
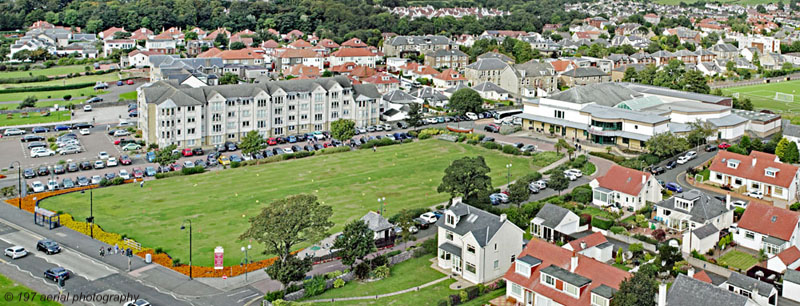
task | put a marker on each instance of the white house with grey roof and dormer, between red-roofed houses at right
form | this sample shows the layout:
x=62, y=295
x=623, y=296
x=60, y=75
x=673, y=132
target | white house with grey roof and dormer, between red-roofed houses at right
x=693, y=209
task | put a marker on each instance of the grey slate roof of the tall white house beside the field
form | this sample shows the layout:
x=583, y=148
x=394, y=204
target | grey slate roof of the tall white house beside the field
x=482, y=224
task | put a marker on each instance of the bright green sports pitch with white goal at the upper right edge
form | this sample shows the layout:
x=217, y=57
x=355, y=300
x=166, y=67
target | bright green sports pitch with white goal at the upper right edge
x=763, y=97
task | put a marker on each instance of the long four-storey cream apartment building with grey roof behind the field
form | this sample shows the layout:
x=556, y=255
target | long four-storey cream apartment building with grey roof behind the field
x=211, y=115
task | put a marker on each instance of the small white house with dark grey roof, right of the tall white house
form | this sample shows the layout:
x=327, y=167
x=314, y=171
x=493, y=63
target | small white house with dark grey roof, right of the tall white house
x=553, y=223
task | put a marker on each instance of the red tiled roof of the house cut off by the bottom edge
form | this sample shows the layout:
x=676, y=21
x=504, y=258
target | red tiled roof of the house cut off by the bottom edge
x=551, y=255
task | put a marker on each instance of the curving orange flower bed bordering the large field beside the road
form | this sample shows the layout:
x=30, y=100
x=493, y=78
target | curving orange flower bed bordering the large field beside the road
x=29, y=204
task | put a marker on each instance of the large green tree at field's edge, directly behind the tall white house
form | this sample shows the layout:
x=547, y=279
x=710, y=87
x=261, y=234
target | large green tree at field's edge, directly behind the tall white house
x=465, y=177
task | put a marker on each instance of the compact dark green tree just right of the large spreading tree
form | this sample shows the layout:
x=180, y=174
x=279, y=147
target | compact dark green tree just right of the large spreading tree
x=356, y=241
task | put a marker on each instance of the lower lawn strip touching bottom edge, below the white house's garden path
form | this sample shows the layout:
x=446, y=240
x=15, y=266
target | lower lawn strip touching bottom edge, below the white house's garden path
x=425, y=296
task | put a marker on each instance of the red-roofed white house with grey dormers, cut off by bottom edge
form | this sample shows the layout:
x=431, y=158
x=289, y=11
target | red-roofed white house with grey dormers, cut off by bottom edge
x=545, y=274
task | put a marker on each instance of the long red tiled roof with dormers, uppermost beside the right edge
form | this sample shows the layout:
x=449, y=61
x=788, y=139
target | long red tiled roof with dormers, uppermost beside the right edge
x=783, y=178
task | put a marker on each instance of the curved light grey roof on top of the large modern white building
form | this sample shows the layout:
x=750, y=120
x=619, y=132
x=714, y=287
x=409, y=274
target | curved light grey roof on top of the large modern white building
x=608, y=94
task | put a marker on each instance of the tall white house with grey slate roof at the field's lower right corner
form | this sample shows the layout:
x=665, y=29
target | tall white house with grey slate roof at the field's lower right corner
x=476, y=244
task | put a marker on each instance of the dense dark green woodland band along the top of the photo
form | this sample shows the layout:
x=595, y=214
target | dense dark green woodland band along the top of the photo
x=335, y=19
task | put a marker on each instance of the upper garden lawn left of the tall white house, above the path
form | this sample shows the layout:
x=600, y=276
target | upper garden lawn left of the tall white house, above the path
x=408, y=274
